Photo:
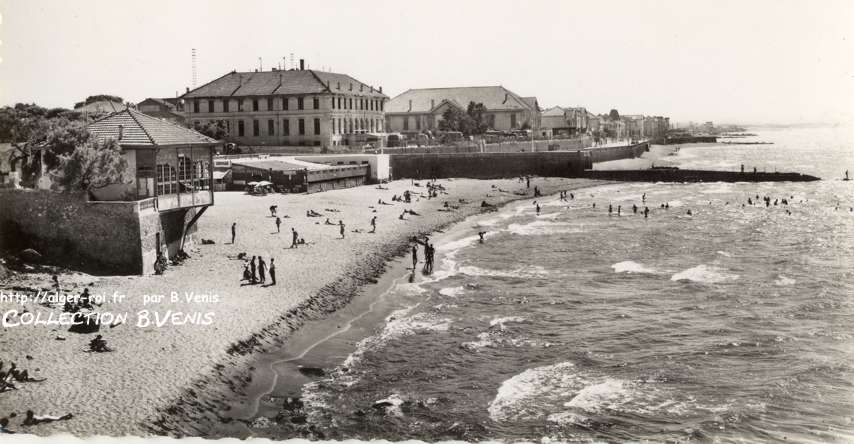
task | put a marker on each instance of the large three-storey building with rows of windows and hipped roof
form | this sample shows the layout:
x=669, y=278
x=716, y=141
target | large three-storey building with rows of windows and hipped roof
x=301, y=107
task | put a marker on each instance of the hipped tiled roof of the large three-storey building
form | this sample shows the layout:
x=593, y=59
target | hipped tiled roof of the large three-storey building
x=241, y=84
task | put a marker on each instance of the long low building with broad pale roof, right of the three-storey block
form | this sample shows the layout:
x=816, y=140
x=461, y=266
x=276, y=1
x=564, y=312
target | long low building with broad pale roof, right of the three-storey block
x=419, y=110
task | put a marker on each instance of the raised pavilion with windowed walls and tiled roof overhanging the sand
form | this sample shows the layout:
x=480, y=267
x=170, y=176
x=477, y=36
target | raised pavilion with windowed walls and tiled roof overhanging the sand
x=170, y=179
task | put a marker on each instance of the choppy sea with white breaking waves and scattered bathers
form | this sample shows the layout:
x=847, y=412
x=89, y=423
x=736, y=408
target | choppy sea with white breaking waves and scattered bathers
x=733, y=323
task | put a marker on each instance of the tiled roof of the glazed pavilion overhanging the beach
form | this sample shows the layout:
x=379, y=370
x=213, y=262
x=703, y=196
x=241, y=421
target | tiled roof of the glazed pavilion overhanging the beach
x=143, y=130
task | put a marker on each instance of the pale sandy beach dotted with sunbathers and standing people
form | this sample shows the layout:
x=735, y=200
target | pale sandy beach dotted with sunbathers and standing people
x=158, y=377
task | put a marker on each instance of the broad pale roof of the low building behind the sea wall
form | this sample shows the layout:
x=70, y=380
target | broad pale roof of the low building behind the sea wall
x=494, y=98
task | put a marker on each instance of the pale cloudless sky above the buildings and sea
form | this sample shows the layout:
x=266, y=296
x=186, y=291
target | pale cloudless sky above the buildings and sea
x=727, y=61
